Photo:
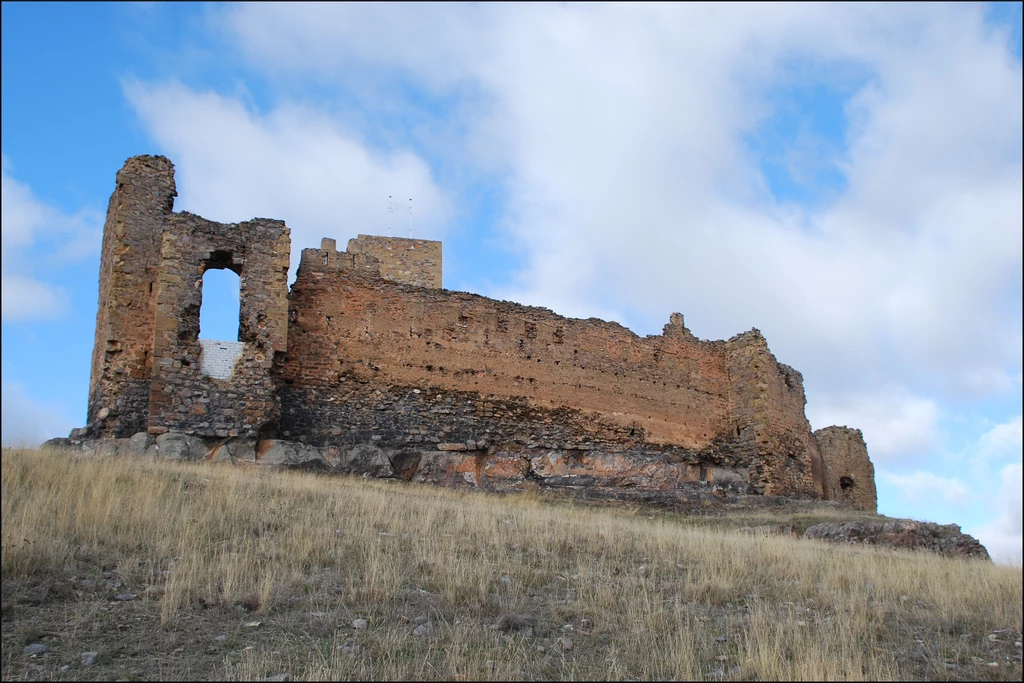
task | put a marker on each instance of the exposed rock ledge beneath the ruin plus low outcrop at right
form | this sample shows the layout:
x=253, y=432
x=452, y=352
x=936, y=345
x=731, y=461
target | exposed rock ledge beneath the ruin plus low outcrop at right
x=627, y=477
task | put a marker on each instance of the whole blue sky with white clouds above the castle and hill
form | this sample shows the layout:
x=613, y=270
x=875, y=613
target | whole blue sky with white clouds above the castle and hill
x=847, y=179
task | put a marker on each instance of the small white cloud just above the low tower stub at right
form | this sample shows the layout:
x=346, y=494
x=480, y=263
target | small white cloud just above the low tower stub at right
x=898, y=425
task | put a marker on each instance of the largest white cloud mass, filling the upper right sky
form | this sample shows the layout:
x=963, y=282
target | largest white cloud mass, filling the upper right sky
x=631, y=191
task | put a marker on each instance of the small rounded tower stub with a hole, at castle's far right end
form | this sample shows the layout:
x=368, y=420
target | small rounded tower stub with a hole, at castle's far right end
x=849, y=476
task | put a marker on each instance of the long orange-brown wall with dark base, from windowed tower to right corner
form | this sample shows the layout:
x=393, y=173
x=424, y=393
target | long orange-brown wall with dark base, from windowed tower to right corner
x=398, y=366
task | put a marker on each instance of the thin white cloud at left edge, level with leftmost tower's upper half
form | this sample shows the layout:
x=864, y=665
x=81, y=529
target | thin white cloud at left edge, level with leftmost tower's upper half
x=27, y=224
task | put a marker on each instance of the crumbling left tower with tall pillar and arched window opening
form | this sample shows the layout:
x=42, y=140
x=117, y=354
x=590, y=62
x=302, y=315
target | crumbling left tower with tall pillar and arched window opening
x=150, y=371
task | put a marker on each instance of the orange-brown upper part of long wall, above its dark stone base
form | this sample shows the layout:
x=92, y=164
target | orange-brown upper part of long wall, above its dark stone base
x=346, y=322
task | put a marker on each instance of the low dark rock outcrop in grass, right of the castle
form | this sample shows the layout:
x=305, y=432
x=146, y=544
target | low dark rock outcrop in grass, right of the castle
x=905, y=534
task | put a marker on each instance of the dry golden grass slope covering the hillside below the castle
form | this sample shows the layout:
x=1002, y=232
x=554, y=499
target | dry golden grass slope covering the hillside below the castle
x=304, y=556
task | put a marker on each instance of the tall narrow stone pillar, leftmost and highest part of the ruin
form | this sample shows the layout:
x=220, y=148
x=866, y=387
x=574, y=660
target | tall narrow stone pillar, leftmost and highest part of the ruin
x=122, y=358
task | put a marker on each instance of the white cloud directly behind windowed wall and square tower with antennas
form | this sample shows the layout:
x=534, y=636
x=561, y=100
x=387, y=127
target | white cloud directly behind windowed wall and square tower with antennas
x=293, y=164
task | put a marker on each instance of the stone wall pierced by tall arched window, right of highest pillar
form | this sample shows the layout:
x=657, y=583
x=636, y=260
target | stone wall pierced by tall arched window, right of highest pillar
x=183, y=398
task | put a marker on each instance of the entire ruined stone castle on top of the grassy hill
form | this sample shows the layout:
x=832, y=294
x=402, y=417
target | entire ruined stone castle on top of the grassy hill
x=367, y=366
